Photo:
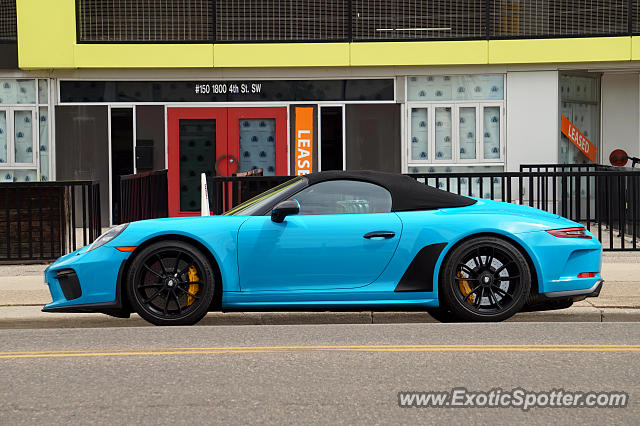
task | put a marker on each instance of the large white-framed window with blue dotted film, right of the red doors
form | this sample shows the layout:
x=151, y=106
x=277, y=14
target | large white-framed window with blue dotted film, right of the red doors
x=462, y=115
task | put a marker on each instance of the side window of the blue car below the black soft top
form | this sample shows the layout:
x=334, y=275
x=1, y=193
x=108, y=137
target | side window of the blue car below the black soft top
x=343, y=197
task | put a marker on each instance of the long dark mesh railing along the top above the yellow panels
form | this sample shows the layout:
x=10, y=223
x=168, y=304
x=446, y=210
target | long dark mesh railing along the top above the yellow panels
x=240, y=21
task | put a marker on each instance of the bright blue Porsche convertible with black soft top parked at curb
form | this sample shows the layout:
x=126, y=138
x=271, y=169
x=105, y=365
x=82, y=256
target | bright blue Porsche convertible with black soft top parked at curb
x=336, y=241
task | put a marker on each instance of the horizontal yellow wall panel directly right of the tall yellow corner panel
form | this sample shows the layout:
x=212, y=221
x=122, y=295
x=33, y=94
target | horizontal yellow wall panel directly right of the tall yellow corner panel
x=143, y=55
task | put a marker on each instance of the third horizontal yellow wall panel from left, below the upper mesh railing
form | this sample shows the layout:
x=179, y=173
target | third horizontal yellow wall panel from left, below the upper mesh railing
x=419, y=53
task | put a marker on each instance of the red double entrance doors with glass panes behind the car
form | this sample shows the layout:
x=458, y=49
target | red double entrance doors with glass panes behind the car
x=221, y=142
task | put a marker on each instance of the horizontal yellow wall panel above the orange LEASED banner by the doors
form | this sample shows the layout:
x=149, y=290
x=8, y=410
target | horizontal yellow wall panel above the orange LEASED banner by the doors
x=282, y=55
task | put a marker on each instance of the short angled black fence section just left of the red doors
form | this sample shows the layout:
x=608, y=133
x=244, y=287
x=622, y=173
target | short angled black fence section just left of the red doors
x=143, y=196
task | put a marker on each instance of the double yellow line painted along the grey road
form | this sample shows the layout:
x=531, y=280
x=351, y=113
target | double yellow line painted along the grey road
x=352, y=348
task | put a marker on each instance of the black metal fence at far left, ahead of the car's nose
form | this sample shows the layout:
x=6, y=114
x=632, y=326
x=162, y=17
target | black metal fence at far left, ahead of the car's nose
x=41, y=221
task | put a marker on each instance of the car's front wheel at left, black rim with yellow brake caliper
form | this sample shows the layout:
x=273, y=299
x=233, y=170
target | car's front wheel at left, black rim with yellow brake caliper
x=171, y=283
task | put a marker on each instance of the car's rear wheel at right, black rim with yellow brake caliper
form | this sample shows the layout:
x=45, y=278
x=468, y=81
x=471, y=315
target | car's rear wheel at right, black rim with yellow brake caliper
x=485, y=279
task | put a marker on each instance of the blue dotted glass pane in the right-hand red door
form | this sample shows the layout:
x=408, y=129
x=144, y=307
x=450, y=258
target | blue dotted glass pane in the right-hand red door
x=258, y=145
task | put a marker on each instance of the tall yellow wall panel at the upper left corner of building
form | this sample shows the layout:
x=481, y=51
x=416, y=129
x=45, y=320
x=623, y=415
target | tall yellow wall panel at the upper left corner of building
x=46, y=33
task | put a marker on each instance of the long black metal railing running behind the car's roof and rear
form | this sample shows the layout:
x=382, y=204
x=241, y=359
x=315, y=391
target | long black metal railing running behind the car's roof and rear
x=606, y=201
